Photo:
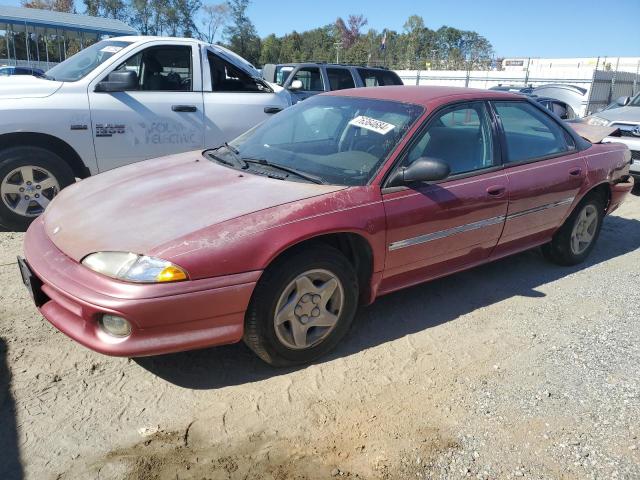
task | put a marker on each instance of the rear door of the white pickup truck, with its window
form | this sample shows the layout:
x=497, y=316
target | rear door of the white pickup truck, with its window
x=235, y=97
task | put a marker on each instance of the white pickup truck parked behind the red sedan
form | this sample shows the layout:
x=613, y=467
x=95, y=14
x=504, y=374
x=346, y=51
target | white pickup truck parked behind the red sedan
x=120, y=101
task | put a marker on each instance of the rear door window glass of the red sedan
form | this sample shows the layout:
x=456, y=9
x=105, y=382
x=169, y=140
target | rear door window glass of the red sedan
x=529, y=133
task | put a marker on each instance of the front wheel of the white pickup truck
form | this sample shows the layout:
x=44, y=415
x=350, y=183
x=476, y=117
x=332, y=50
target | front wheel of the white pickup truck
x=29, y=179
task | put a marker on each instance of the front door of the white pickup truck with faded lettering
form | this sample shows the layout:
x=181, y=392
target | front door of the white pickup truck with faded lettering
x=163, y=116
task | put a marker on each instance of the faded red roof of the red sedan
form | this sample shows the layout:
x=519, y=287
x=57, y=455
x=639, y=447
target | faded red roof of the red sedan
x=423, y=95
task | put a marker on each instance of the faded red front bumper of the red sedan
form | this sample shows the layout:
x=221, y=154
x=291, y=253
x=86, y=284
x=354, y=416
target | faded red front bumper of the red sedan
x=164, y=318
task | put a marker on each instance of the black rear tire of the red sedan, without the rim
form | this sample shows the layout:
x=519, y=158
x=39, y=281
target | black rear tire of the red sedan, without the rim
x=559, y=250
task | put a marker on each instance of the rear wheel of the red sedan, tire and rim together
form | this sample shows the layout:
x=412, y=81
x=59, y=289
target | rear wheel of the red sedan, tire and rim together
x=575, y=239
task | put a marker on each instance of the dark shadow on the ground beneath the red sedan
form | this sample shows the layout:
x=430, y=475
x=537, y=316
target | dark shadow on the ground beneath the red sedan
x=402, y=313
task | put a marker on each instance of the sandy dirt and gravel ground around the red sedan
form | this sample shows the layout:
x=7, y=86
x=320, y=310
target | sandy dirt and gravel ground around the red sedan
x=518, y=369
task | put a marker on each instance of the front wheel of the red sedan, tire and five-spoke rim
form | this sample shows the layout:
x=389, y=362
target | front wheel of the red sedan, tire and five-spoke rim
x=302, y=306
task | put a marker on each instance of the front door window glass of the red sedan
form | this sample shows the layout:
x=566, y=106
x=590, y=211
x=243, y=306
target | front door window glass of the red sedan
x=460, y=136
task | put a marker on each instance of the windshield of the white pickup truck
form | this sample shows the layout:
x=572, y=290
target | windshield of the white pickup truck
x=85, y=61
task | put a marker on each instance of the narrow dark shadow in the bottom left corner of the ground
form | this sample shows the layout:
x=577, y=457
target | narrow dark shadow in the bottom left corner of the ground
x=10, y=466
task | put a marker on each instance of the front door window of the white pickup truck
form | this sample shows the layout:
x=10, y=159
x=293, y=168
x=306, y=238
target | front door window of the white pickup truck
x=161, y=69
